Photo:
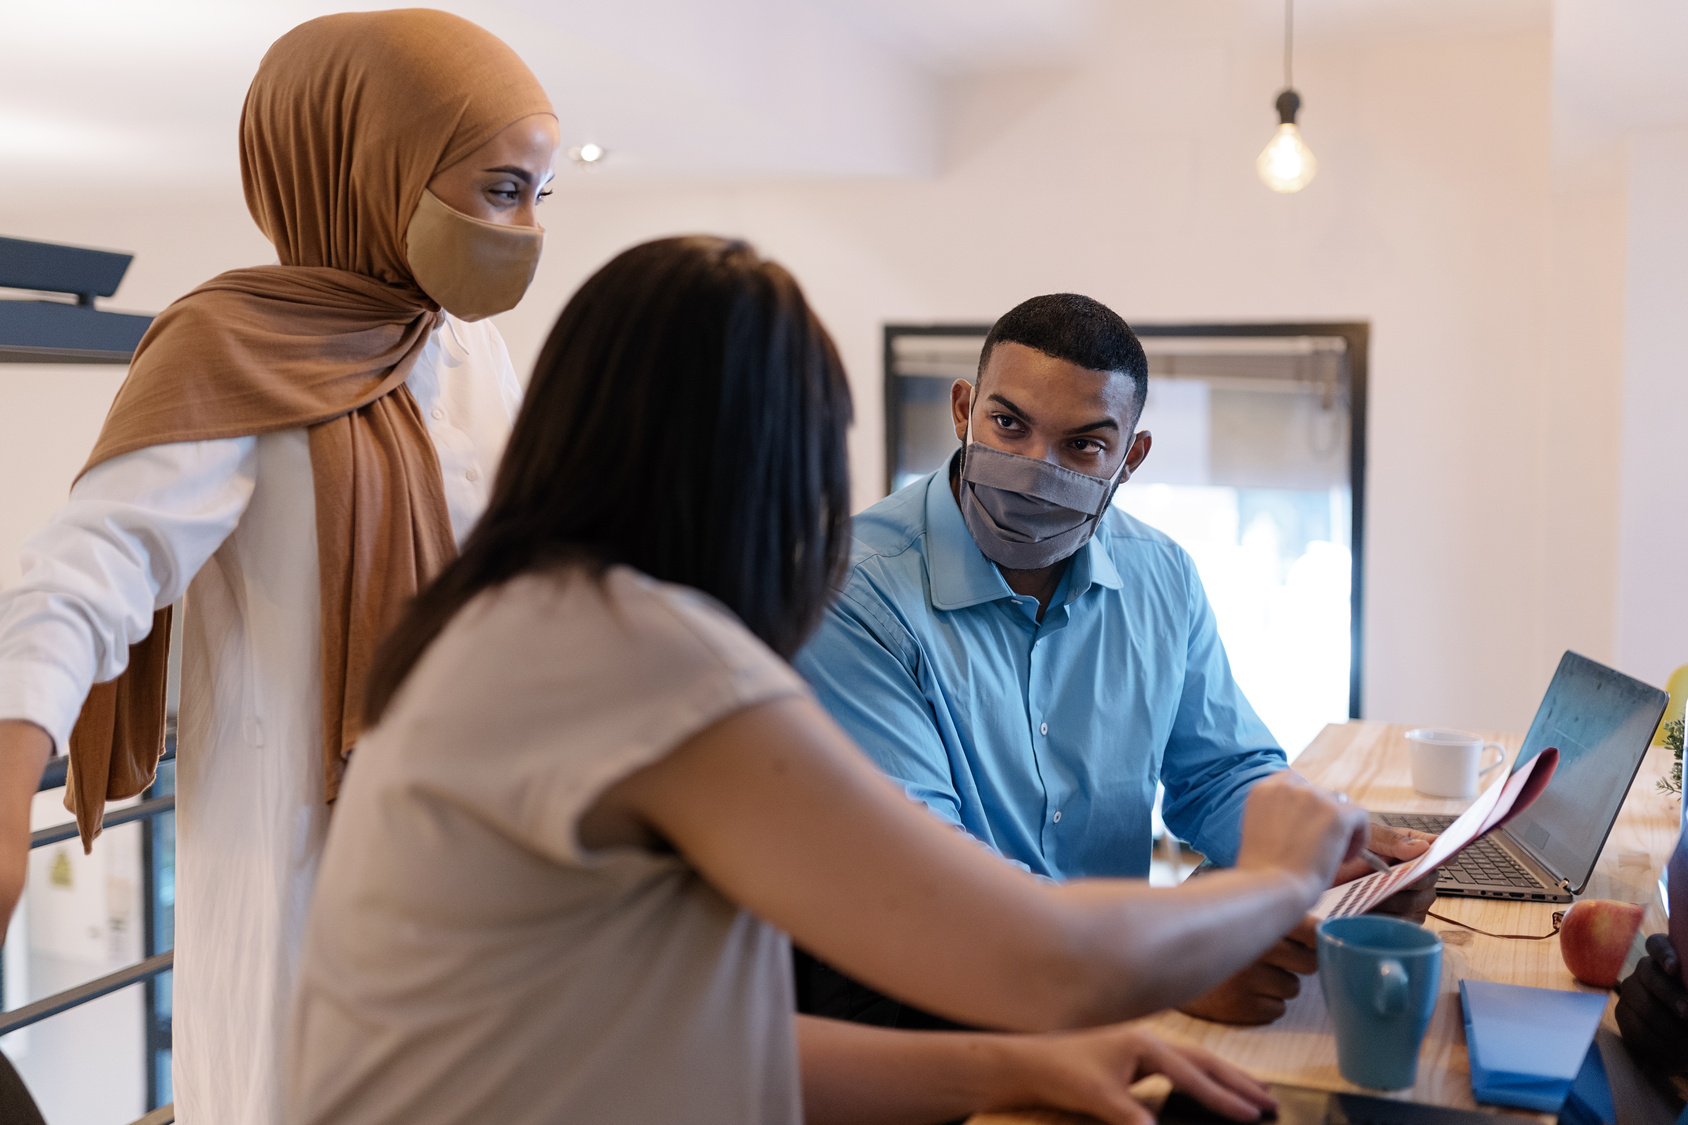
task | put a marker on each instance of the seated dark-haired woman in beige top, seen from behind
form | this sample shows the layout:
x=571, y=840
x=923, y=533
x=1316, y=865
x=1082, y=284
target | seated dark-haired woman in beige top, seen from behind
x=593, y=793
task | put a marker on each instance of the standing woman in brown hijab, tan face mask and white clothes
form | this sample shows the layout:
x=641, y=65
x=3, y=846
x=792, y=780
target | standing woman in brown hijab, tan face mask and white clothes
x=298, y=450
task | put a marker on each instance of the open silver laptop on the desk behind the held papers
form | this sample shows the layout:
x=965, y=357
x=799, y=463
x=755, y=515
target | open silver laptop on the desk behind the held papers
x=1603, y=722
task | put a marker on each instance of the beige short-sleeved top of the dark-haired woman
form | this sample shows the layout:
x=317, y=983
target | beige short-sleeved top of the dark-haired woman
x=467, y=960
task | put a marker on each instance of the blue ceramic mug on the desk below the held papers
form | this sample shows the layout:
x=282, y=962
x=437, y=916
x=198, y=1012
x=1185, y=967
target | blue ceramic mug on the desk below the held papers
x=1382, y=979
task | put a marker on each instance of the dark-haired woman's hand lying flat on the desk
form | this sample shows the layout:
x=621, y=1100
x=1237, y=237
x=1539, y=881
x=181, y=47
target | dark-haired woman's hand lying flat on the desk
x=1093, y=1073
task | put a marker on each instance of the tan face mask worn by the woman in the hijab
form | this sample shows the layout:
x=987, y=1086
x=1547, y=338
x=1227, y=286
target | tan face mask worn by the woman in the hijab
x=472, y=268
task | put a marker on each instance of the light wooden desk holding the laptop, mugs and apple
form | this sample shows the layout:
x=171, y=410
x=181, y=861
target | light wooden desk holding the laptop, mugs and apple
x=1370, y=763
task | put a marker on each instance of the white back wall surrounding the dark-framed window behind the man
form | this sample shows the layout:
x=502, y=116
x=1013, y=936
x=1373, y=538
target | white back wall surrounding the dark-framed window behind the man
x=1437, y=215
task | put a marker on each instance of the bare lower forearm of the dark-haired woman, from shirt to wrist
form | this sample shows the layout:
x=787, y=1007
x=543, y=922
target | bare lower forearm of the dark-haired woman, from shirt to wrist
x=855, y=1073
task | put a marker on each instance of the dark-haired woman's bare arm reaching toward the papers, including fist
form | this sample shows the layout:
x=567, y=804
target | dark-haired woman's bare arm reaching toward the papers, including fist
x=787, y=818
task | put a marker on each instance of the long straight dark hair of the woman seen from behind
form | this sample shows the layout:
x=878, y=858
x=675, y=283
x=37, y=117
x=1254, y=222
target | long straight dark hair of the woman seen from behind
x=688, y=420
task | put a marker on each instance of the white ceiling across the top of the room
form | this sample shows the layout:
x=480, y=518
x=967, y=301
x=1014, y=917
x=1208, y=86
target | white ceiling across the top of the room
x=138, y=97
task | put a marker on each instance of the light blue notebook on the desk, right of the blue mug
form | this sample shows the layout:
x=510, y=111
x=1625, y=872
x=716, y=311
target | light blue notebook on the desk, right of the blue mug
x=1527, y=1045
